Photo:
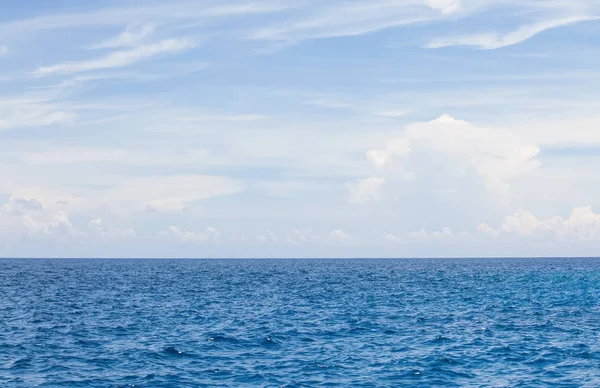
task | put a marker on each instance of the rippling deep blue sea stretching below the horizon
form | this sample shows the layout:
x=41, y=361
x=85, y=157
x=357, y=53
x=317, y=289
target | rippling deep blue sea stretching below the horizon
x=294, y=323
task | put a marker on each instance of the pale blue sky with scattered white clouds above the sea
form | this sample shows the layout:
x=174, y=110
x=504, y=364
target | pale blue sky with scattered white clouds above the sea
x=299, y=128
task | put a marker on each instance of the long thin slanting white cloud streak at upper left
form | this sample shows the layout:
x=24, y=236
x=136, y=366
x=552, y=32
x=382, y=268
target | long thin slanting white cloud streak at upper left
x=119, y=58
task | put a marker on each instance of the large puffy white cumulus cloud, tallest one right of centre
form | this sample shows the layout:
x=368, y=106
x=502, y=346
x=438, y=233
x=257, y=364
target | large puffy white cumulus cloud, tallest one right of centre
x=457, y=146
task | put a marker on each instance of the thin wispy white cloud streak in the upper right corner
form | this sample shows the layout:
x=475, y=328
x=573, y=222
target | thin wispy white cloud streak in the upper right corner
x=490, y=41
